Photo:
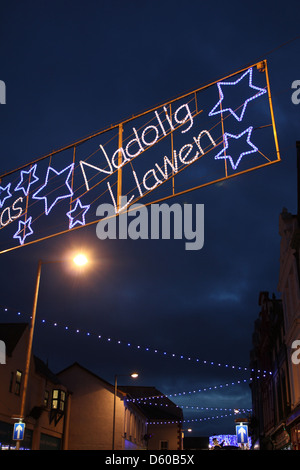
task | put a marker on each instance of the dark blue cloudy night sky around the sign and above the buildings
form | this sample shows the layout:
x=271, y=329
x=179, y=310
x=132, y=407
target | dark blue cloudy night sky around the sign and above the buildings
x=73, y=68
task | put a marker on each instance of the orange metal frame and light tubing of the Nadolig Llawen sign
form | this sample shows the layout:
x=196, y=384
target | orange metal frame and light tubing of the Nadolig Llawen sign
x=119, y=161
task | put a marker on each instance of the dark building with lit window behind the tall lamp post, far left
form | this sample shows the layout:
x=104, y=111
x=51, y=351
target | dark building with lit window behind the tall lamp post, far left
x=46, y=396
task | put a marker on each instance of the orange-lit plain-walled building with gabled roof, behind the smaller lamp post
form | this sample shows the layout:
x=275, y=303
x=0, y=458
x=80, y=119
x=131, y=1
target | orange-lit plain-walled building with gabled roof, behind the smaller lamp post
x=91, y=419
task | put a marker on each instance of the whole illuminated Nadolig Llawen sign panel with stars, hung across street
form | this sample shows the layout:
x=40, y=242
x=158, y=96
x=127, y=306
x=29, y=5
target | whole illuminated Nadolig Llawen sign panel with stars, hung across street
x=216, y=132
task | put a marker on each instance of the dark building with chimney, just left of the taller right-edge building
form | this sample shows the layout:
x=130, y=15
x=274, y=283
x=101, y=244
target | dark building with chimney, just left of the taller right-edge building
x=270, y=378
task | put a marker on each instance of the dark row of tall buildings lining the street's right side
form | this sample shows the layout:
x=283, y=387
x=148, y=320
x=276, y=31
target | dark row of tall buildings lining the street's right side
x=276, y=348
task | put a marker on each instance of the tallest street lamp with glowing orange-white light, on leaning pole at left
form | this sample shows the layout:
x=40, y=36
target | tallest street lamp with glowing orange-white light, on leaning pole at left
x=79, y=260
